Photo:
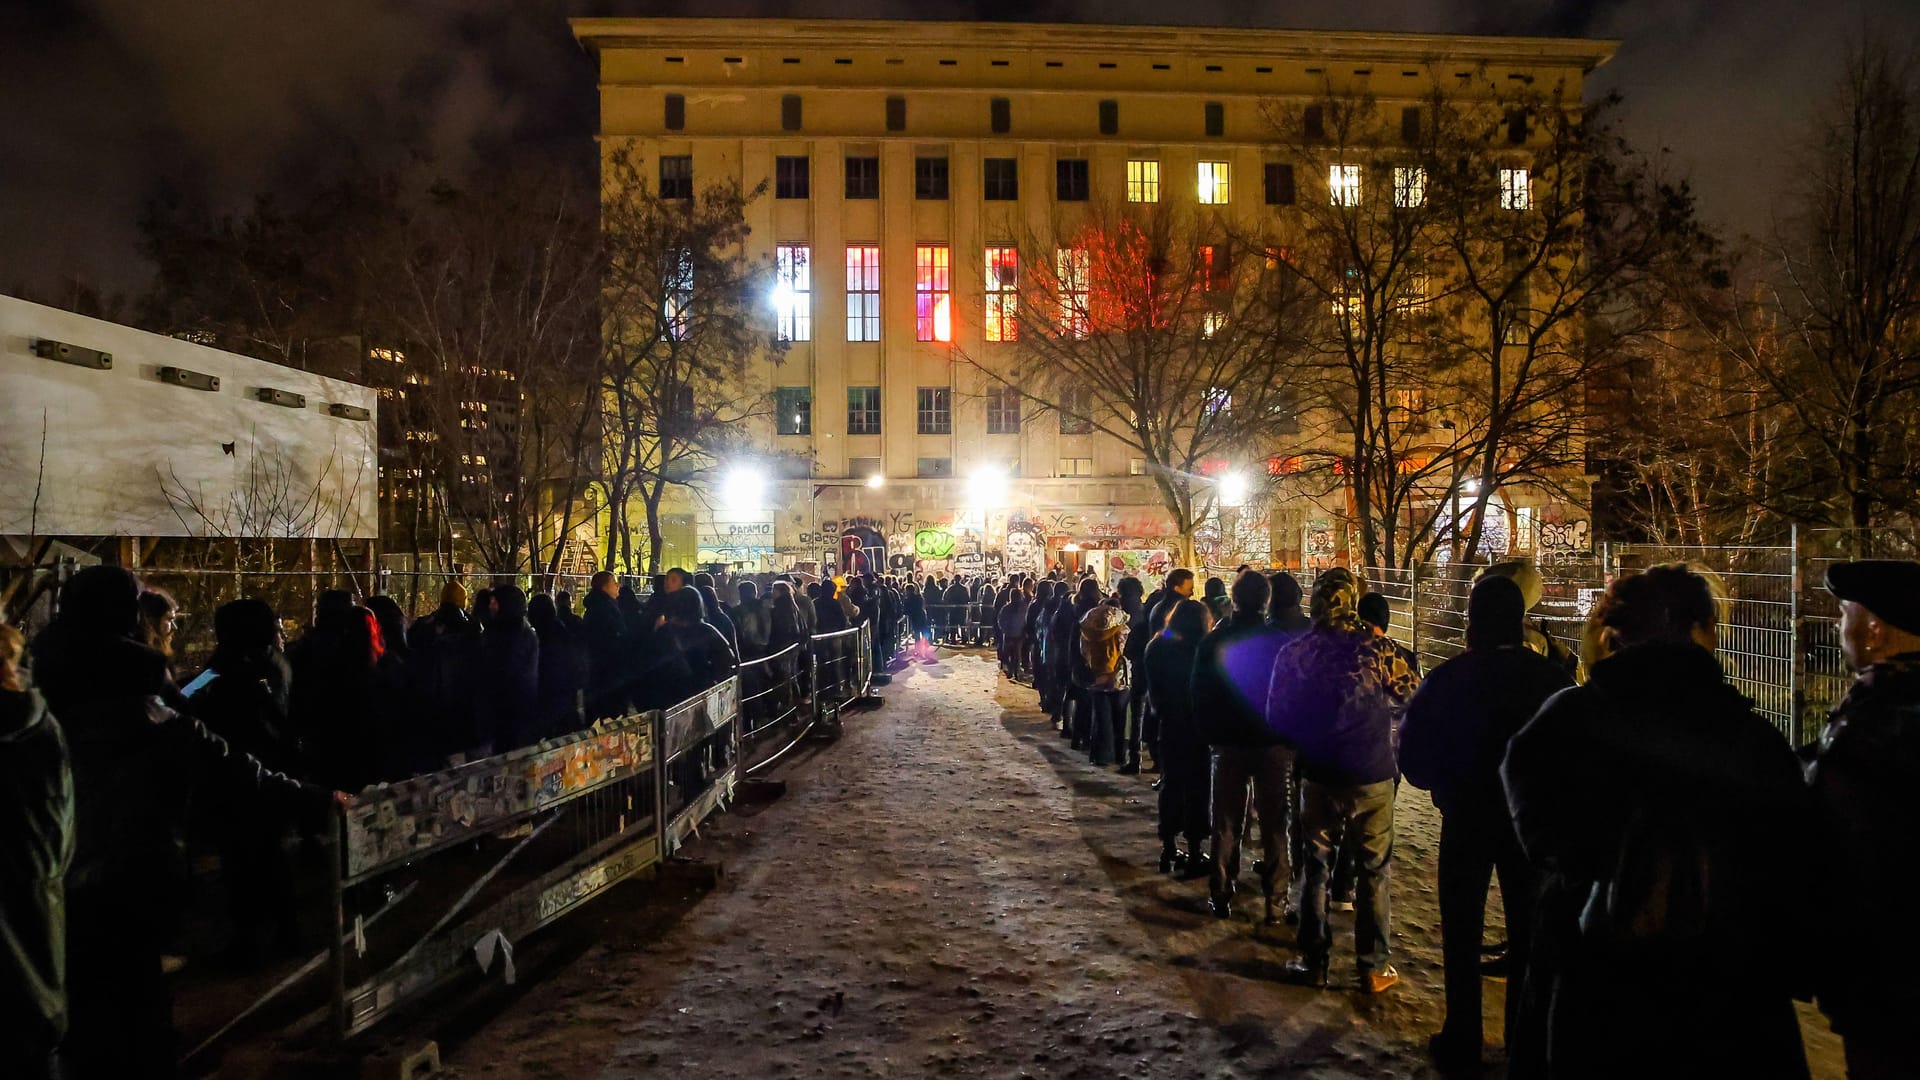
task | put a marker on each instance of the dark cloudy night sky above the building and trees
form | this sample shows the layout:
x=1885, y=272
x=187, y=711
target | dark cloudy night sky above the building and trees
x=105, y=103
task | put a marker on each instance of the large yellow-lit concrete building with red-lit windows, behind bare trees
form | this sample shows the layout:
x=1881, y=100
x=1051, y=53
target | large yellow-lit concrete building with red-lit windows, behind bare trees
x=898, y=159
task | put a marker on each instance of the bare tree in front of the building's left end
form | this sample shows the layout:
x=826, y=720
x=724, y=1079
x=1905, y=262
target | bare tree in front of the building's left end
x=681, y=335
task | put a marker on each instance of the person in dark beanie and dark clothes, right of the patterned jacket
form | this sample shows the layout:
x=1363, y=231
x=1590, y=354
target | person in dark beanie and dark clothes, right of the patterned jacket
x=1452, y=743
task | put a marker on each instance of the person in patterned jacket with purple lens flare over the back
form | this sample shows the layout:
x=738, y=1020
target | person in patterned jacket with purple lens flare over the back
x=1335, y=697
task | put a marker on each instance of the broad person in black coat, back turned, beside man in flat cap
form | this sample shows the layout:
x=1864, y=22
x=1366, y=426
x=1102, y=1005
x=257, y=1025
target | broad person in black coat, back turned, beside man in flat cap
x=1664, y=816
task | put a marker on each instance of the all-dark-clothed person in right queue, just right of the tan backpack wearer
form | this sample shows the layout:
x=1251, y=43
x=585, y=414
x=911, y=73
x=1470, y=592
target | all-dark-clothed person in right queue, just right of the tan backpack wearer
x=1168, y=672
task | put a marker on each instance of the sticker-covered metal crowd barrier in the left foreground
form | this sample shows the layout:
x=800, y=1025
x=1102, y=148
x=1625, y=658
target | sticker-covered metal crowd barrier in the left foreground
x=450, y=870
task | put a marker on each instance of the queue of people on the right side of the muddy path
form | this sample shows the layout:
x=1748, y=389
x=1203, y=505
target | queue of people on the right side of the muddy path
x=1652, y=833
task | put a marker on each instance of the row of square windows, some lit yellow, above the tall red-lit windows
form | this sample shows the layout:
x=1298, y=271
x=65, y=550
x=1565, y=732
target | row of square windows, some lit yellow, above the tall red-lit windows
x=1074, y=182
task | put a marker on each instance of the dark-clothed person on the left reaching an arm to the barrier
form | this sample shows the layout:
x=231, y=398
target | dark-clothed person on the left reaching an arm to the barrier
x=135, y=760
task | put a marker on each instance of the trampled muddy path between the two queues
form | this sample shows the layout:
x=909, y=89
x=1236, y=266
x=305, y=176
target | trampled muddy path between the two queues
x=949, y=891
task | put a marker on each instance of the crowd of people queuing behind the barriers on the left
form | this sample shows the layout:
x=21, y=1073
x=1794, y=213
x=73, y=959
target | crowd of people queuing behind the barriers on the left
x=112, y=760
